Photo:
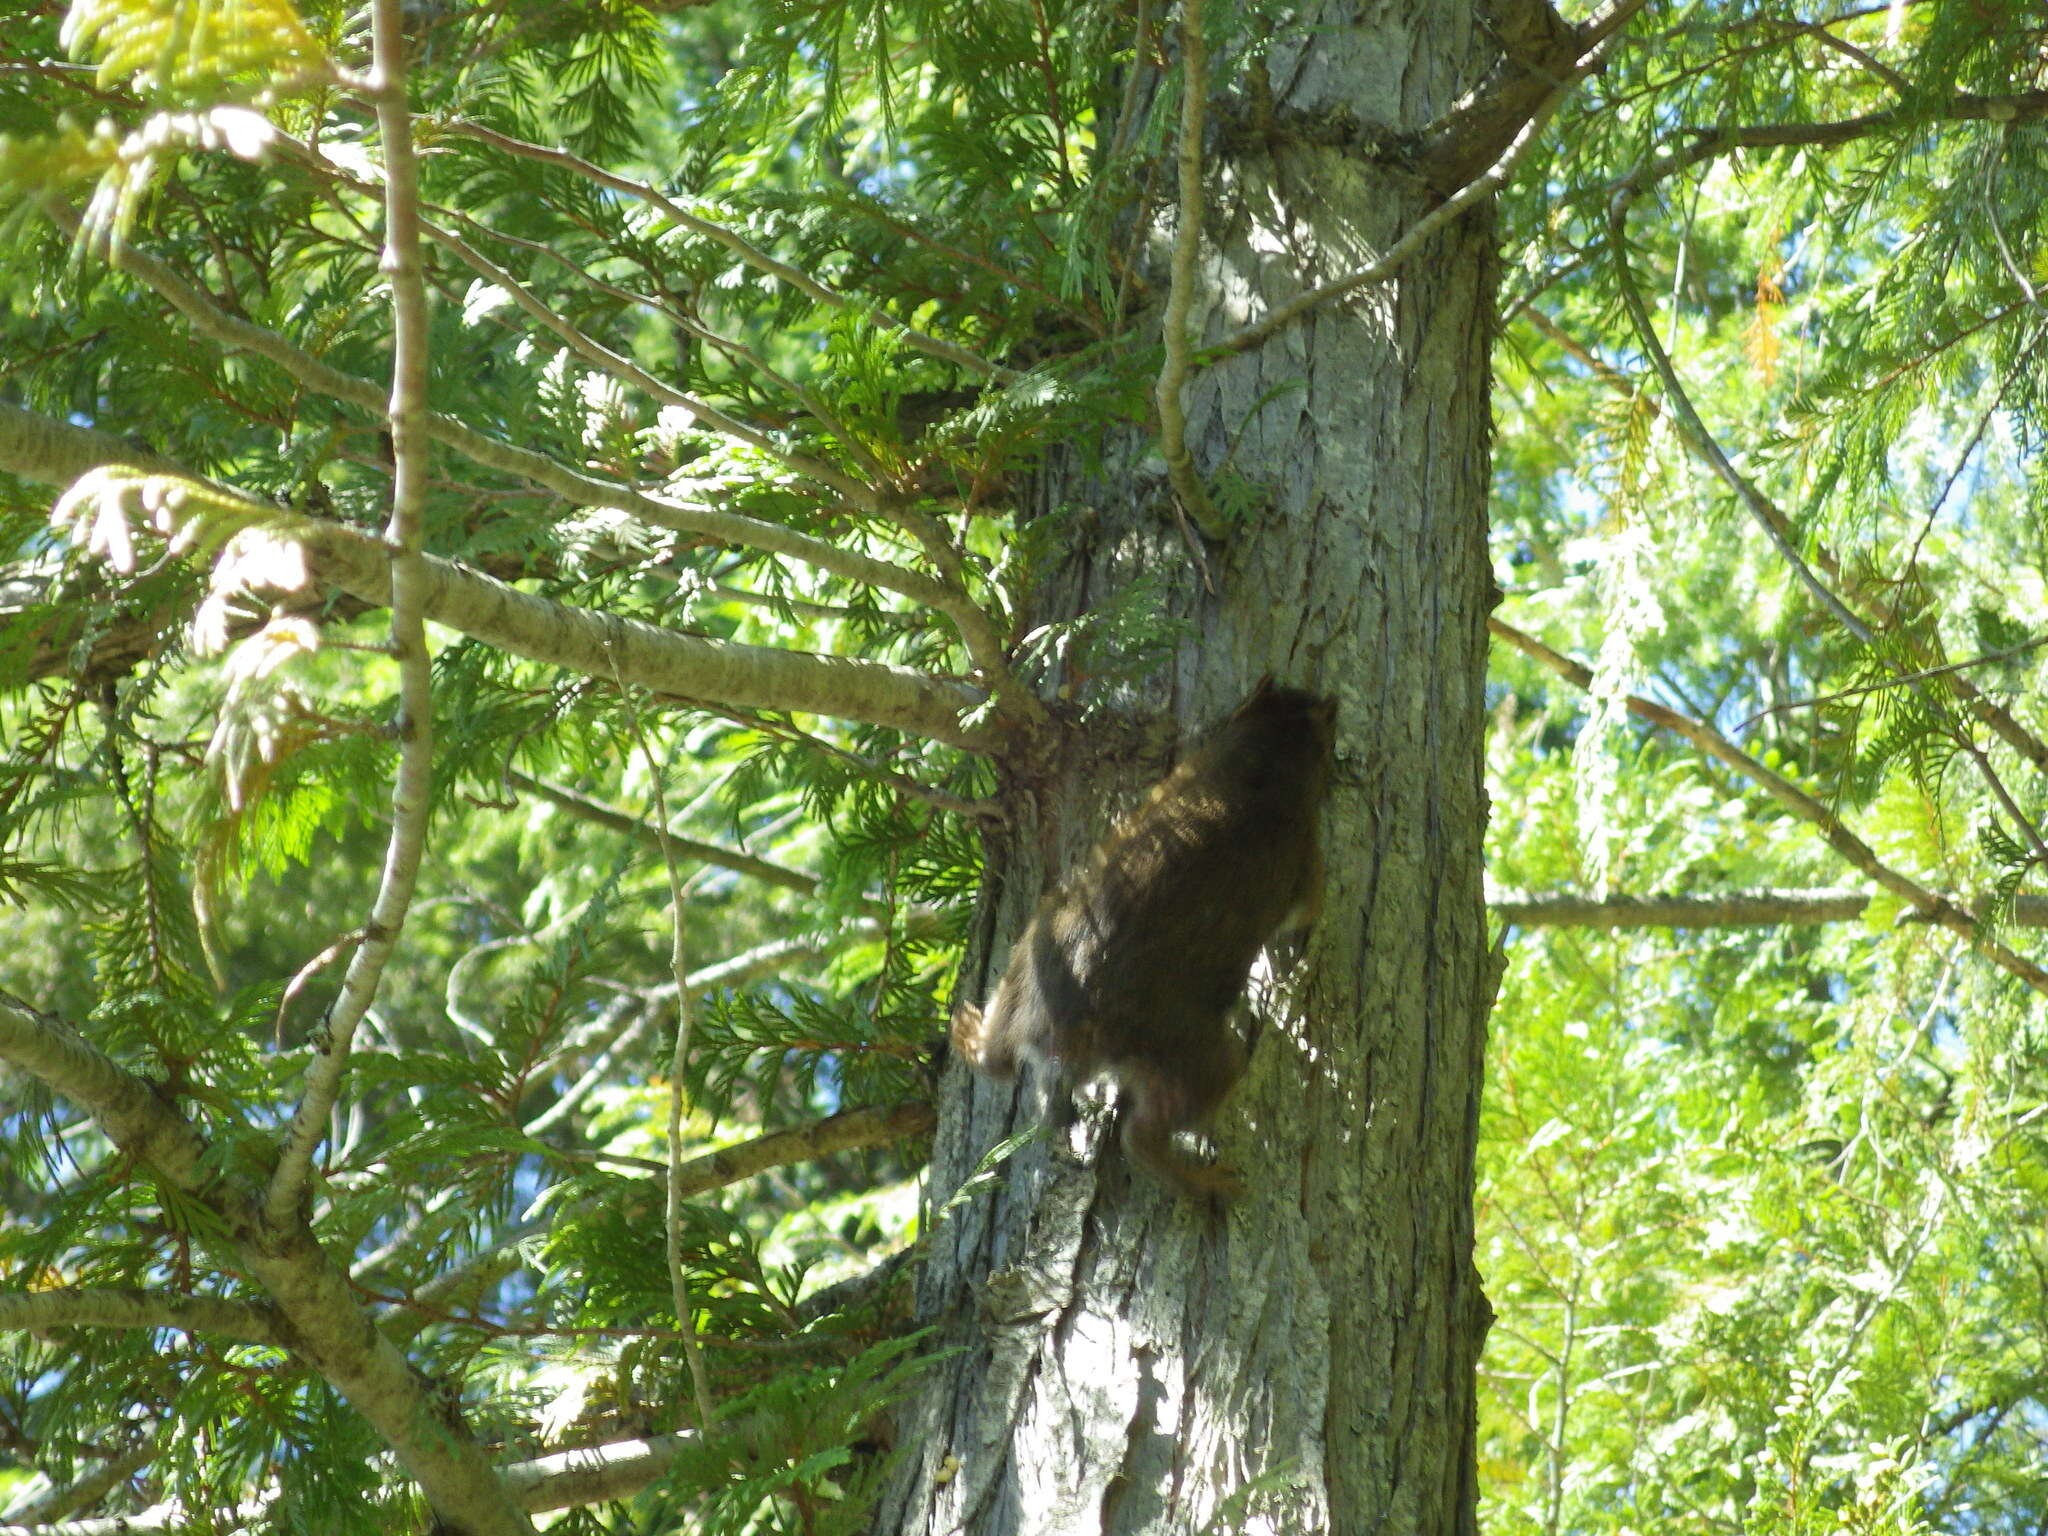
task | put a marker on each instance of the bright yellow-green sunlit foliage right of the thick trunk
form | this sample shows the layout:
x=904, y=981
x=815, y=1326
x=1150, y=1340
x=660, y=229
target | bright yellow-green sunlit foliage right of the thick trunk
x=1760, y=1207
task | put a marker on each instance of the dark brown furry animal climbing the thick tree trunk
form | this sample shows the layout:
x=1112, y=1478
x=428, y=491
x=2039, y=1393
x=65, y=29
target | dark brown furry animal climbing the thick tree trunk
x=1132, y=968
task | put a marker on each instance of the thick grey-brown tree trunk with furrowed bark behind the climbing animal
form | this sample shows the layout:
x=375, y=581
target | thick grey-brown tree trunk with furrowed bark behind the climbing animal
x=1132, y=1361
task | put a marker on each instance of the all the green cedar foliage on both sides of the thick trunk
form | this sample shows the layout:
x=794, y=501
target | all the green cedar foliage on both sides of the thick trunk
x=1760, y=1211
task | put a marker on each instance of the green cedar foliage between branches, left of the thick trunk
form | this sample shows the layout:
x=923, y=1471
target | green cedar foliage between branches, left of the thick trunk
x=189, y=845
